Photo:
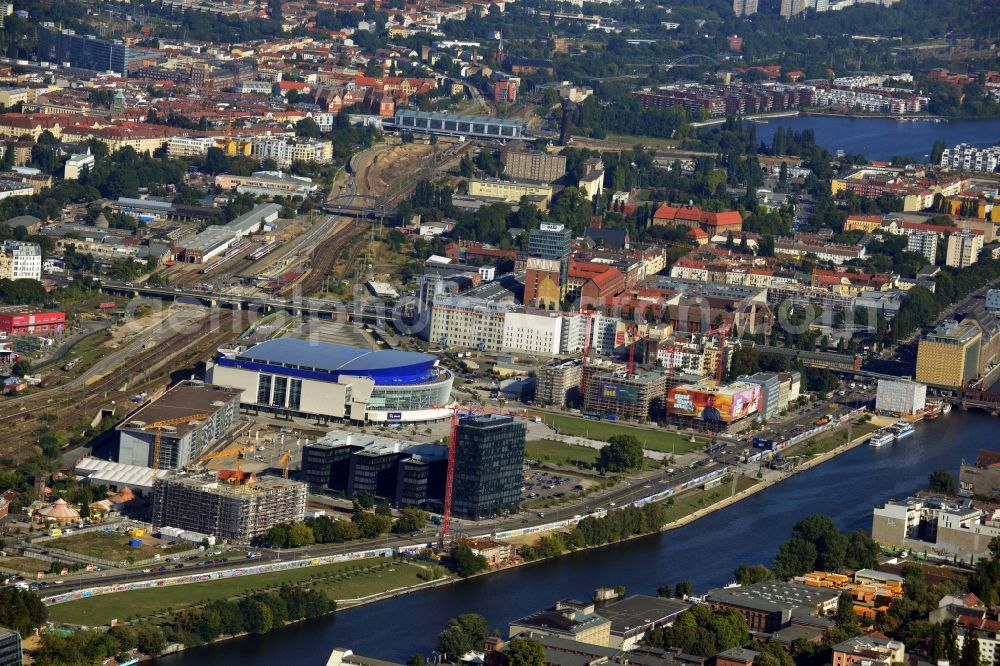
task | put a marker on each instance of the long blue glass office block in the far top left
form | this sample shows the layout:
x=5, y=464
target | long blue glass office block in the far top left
x=87, y=51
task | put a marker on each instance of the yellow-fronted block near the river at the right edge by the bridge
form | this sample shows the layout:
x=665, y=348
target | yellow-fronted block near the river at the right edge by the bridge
x=949, y=355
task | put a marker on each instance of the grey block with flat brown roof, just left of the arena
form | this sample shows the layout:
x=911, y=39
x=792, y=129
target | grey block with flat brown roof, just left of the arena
x=188, y=418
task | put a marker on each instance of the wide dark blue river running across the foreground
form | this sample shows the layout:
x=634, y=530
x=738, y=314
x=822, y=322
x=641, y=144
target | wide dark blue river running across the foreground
x=705, y=552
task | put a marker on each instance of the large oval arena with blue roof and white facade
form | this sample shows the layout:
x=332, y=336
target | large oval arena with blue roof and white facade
x=323, y=381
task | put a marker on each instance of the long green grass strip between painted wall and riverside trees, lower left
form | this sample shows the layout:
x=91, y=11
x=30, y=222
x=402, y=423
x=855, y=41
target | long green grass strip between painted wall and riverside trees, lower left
x=344, y=580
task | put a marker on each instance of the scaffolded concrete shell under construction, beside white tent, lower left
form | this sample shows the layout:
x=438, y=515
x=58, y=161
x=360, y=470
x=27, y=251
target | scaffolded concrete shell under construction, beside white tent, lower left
x=236, y=506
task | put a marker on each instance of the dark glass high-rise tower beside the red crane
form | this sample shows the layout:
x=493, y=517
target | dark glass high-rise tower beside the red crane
x=489, y=465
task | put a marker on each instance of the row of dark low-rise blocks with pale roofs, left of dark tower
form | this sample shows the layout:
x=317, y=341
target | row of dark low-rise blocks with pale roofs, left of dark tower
x=407, y=474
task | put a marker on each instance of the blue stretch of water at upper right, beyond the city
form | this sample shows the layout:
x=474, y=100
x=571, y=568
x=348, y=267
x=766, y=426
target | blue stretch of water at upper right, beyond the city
x=881, y=139
